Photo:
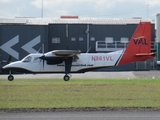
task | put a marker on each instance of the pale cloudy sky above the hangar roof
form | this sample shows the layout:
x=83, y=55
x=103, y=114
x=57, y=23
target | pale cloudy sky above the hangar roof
x=81, y=8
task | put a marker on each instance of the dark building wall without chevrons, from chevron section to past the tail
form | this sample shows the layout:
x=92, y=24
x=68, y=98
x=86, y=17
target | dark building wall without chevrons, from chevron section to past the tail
x=84, y=36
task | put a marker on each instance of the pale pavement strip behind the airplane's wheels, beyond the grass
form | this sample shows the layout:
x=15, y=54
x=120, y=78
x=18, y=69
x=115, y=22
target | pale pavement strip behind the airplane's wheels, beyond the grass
x=128, y=75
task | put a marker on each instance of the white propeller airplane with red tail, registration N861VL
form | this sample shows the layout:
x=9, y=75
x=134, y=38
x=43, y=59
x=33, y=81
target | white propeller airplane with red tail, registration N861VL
x=73, y=61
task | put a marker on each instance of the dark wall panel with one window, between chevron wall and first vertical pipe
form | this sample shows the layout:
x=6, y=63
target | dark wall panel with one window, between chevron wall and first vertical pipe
x=57, y=31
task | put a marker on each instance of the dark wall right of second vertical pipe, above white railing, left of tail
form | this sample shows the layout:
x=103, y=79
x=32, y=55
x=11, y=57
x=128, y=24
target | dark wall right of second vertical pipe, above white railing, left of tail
x=115, y=31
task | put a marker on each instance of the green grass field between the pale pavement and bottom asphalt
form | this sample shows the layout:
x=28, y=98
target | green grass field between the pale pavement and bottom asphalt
x=78, y=93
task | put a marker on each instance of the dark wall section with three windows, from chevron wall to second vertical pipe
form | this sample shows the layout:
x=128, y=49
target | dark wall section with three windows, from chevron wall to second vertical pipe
x=67, y=37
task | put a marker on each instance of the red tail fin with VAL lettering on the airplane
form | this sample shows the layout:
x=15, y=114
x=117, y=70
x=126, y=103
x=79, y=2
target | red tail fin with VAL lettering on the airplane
x=139, y=47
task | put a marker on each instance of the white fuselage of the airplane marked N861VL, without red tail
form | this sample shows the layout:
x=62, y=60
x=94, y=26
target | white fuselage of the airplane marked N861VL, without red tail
x=85, y=62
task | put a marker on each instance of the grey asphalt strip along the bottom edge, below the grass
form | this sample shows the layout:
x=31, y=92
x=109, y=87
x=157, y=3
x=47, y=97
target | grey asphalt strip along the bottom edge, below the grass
x=100, y=115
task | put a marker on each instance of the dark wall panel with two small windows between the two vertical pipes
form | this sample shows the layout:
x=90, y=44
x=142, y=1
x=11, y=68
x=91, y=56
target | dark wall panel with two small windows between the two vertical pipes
x=78, y=31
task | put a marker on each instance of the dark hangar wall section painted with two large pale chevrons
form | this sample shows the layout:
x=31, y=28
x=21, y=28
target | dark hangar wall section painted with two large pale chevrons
x=17, y=36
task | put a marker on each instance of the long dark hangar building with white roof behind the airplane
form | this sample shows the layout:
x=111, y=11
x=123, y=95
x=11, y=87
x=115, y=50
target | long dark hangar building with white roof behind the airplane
x=21, y=36
